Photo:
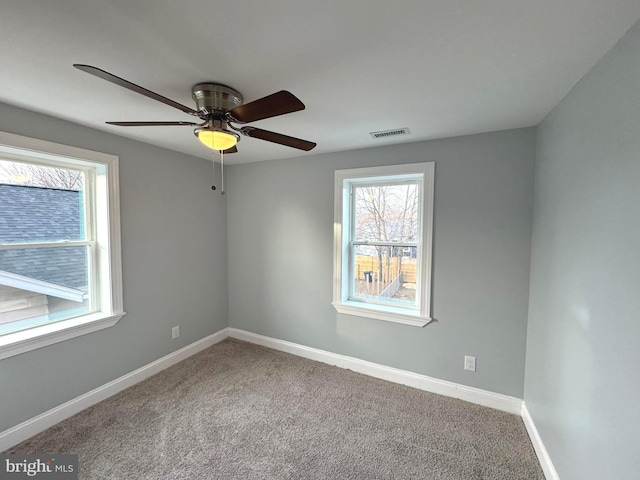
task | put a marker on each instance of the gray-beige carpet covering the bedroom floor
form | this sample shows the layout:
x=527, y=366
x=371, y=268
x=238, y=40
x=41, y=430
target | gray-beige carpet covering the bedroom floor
x=241, y=411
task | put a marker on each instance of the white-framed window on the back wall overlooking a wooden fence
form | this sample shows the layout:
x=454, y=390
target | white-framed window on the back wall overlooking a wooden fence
x=382, y=242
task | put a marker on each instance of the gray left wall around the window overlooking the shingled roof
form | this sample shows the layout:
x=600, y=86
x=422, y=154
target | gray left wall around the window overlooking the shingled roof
x=174, y=271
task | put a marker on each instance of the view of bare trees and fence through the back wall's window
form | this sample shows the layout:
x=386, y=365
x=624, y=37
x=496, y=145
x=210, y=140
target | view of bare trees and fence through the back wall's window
x=385, y=242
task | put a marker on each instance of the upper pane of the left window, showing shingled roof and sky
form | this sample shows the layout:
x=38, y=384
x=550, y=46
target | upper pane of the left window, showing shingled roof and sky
x=40, y=203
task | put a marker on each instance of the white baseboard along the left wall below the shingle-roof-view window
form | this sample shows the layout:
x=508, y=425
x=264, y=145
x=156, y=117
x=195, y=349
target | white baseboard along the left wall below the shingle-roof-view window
x=37, y=424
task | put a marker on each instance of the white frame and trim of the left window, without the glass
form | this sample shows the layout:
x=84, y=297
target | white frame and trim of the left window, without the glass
x=103, y=188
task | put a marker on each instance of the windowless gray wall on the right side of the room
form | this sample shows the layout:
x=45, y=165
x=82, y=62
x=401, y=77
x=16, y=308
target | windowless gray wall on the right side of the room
x=583, y=358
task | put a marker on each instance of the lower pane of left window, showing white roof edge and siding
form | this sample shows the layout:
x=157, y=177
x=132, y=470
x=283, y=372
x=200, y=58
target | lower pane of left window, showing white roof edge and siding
x=42, y=285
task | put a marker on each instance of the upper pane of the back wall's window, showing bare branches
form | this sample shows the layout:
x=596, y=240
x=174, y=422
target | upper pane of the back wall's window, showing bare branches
x=387, y=213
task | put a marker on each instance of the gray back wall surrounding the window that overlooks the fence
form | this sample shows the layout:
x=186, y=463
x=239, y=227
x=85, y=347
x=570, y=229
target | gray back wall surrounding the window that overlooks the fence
x=280, y=225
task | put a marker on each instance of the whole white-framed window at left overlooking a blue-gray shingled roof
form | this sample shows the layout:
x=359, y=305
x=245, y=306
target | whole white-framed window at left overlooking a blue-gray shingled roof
x=60, y=267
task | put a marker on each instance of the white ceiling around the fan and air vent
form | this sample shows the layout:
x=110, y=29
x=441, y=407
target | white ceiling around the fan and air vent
x=441, y=68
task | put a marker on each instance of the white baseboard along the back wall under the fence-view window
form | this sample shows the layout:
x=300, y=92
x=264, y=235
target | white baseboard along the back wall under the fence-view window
x=430, y=384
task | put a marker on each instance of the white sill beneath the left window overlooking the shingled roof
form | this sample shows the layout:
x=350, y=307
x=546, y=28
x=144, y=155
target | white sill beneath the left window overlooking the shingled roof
x=38, y=337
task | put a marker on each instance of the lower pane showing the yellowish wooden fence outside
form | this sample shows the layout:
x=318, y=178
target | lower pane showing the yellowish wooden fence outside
x=384, y=275
